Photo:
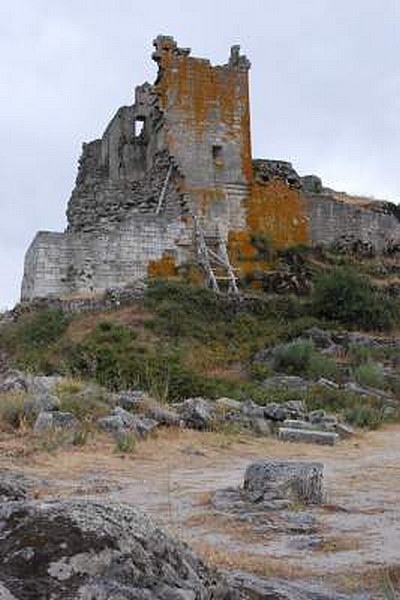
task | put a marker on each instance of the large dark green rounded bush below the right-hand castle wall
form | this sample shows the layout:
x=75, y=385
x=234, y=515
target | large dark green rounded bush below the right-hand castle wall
x=348, y=297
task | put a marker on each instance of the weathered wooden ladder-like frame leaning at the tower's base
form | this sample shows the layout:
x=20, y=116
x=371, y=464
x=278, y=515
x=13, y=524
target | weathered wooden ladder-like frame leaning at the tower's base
x=207, y=259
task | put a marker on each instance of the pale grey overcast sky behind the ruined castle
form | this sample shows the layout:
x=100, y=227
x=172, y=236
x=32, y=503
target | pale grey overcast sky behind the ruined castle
x=325, y=92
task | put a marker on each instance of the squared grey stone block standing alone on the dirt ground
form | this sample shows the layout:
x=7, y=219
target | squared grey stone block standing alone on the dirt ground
x=265, y=480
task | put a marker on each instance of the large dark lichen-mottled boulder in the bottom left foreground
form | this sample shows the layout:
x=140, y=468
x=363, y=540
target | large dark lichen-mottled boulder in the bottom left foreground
x=97, y=551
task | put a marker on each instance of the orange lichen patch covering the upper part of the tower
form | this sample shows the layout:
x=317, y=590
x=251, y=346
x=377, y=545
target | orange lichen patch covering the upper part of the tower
x=199, y=99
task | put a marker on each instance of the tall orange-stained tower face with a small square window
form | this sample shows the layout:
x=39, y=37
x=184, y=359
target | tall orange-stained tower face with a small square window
x=207, y=121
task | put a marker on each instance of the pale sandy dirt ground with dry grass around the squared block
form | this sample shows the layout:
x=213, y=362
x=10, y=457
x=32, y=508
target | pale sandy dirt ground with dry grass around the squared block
x=356, y=536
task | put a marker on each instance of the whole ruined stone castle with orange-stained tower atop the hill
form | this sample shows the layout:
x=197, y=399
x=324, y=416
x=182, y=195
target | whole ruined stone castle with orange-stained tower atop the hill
x=177, y=159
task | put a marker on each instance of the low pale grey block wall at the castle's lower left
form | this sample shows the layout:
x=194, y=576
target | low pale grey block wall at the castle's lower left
x=59, y=264
